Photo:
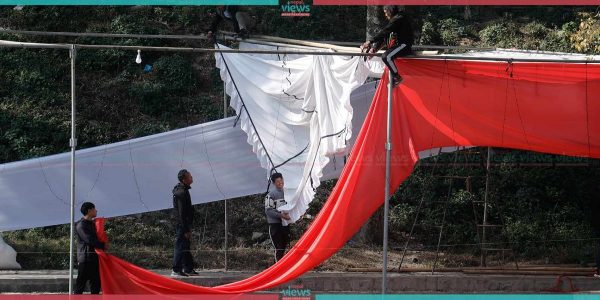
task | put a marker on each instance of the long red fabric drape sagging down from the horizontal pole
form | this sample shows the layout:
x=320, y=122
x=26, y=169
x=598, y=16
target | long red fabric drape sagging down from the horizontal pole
x=545, y=107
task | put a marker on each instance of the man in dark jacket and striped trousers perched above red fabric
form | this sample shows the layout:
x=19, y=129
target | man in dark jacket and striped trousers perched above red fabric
x=397, y=37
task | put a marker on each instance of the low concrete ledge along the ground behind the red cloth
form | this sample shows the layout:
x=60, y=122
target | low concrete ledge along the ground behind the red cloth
x=49, y=281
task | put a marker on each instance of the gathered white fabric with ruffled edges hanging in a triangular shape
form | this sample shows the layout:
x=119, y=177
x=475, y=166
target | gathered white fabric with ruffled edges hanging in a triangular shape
x=296, y=111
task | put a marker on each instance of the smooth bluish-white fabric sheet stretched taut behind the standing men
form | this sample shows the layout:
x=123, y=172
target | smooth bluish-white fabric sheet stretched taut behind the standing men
x=137, y=176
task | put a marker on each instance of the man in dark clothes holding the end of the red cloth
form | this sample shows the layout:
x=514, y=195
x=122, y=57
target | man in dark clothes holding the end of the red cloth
x=87, y=242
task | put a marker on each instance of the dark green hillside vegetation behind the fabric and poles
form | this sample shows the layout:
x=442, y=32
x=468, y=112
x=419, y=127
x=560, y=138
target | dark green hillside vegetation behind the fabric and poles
x=542, y=200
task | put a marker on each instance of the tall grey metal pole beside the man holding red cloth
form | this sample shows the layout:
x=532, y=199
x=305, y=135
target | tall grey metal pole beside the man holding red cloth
x=73, y=144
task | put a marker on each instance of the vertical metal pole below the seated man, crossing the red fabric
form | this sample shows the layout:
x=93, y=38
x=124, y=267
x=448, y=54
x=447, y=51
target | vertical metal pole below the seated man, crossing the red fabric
x=388, y=153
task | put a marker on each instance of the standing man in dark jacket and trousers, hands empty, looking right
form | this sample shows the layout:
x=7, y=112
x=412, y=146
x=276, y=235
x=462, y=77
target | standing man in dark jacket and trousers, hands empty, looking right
x=183, y=263
